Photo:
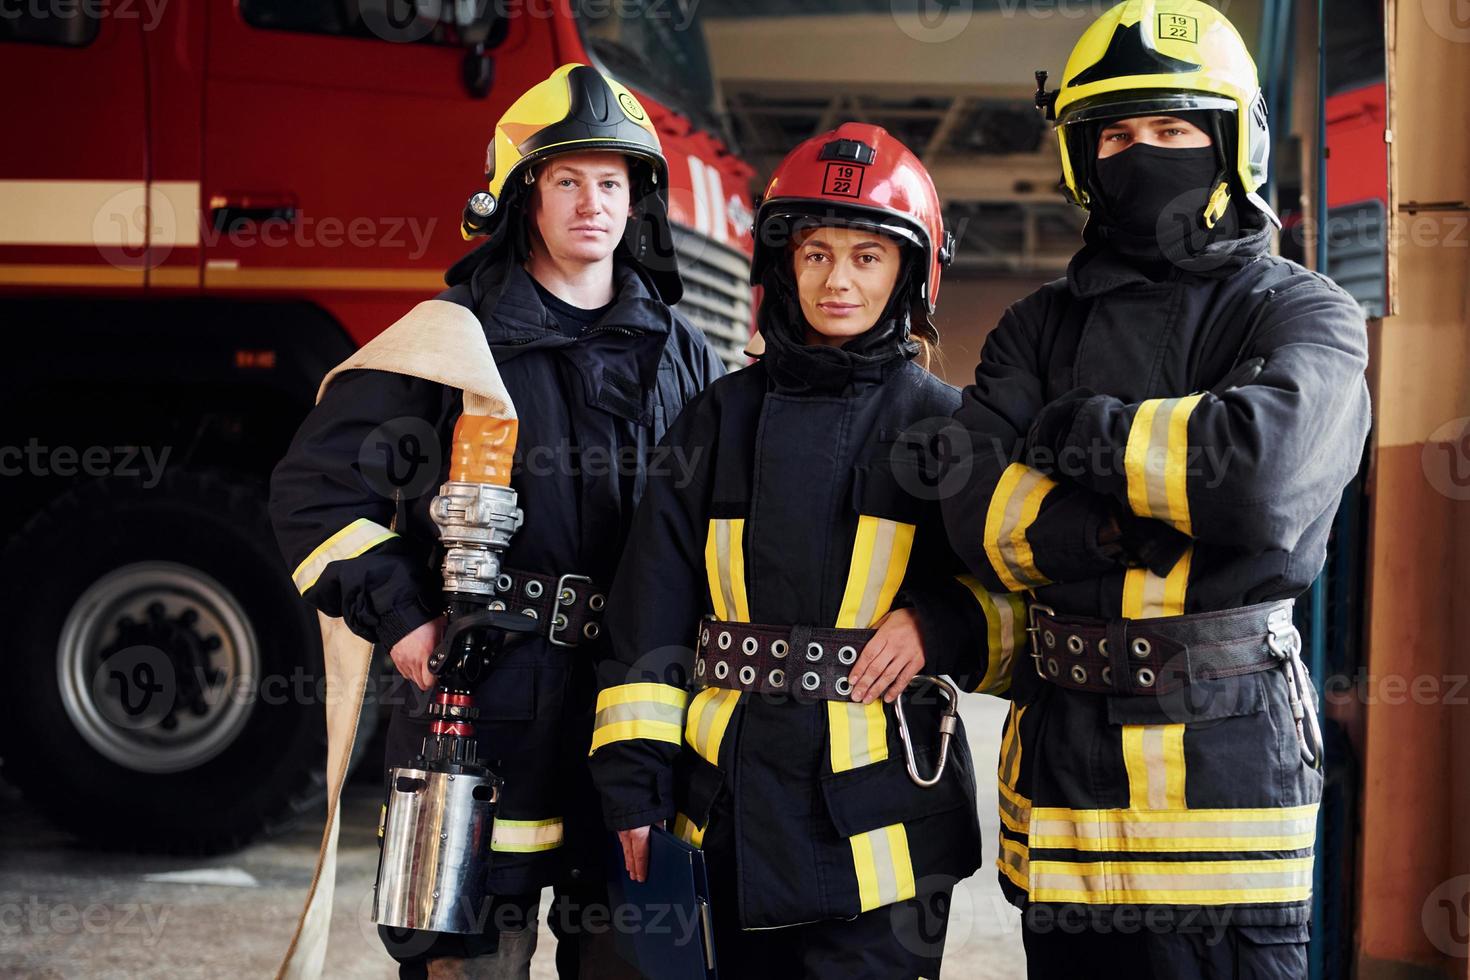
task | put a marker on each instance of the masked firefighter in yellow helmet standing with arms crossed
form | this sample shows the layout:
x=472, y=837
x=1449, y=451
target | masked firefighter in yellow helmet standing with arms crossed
x=1158, y=449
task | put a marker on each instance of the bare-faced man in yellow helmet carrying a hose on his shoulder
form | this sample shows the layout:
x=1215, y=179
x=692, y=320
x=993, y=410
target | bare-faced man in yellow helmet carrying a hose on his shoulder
x=596, y=389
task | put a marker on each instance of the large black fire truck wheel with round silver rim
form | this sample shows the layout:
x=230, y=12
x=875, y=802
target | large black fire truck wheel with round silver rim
x=162, y=672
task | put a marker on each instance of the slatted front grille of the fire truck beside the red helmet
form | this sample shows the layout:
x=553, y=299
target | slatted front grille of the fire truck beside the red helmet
x=717, y=293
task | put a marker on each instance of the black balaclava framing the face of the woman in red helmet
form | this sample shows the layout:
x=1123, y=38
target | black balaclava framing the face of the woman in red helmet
x=817, y=368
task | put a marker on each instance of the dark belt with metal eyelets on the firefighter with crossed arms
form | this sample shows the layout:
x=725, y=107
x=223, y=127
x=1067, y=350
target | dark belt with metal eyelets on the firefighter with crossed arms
x=1159, y=656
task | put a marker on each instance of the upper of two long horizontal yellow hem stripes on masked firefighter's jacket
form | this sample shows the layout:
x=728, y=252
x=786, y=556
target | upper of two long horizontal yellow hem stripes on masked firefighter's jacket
x=1162, y=831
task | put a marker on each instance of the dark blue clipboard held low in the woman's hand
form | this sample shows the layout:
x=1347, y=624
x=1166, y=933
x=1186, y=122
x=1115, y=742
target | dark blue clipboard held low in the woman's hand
x=674, y=938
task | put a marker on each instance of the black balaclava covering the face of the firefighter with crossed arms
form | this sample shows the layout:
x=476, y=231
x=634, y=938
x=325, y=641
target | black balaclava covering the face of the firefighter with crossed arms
x=1150, y=202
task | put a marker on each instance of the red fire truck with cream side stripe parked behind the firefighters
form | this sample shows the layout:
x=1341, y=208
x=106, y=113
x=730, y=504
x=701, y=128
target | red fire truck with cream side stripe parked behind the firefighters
x=204, y=206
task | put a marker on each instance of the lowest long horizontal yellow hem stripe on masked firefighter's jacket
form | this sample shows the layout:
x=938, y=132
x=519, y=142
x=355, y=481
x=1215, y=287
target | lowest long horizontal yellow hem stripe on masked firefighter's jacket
x=1172, y=882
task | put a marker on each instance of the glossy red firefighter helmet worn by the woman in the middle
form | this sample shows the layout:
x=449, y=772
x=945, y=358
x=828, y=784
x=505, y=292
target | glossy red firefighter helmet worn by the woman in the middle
x=856, y=176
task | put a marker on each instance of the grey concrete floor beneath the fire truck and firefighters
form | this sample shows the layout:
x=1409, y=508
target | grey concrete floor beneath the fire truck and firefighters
x=68, y=913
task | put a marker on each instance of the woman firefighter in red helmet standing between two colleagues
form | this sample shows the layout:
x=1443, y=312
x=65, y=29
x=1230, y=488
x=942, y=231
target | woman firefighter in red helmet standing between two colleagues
x=805, y=556
